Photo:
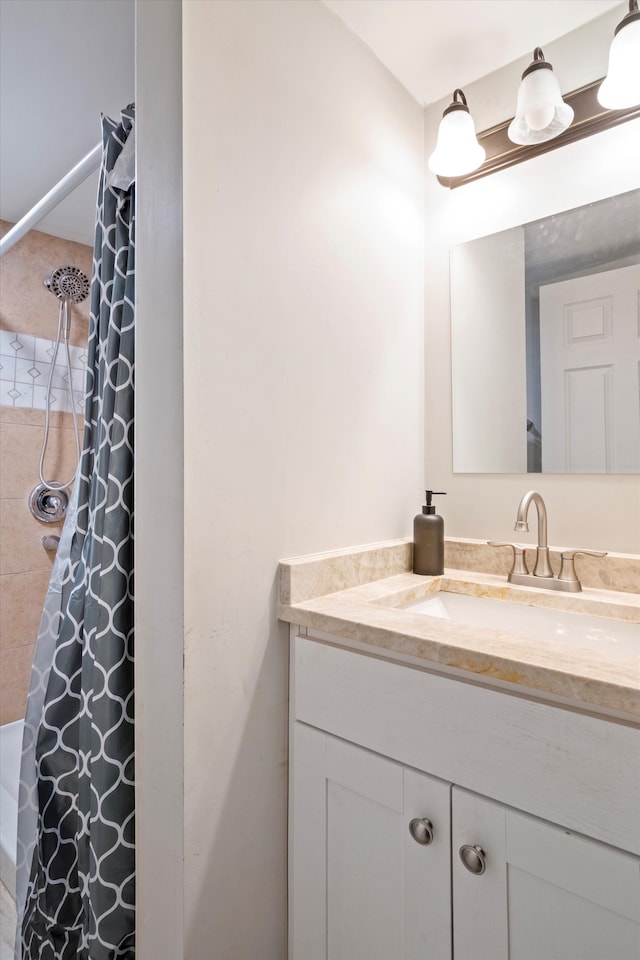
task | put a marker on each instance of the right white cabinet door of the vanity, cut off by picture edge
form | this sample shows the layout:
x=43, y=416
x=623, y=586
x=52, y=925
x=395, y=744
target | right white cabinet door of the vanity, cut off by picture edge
x=544, y=893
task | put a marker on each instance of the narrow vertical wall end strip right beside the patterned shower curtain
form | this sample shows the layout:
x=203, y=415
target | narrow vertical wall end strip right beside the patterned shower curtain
x=159, y=483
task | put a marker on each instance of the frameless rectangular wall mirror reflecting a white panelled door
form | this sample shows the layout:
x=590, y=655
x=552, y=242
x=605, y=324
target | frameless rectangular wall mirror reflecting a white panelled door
x=545, y=338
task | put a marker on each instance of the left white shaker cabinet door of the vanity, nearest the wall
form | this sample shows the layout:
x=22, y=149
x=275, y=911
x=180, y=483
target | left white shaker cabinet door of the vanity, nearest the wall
x=361, y=887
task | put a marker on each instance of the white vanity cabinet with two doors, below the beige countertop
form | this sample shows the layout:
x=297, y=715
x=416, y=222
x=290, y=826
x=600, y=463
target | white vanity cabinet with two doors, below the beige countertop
x=544, y=802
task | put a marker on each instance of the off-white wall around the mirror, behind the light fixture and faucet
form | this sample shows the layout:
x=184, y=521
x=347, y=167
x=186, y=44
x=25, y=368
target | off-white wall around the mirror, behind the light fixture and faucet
x=589, y=511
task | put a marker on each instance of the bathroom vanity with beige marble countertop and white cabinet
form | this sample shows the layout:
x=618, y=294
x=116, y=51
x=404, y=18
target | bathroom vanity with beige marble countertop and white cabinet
x=459, y=790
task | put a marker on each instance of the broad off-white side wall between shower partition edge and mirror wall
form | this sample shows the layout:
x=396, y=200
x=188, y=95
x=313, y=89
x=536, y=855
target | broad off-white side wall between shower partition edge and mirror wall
x=303, y=314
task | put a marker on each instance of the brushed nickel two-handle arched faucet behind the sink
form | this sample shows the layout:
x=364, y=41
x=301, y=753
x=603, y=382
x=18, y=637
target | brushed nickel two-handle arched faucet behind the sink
x=542, y=575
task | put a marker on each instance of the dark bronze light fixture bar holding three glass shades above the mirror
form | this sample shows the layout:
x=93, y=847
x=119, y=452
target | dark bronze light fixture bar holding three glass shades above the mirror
x=589, y=118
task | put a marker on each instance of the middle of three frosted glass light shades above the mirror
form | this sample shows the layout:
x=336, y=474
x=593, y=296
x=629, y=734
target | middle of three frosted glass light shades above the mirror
x=541, y=113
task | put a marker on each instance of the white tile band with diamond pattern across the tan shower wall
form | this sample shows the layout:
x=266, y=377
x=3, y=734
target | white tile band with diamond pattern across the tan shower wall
x=25, y=367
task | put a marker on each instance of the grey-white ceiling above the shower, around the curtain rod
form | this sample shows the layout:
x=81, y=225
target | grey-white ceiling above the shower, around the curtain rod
x=62, y=64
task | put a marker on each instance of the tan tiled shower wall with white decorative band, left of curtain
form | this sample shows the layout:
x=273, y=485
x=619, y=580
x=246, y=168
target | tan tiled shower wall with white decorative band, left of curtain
x=28, y=325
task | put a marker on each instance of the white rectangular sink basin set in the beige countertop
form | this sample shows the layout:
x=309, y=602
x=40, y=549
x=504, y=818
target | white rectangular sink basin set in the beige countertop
x=609, y=637
